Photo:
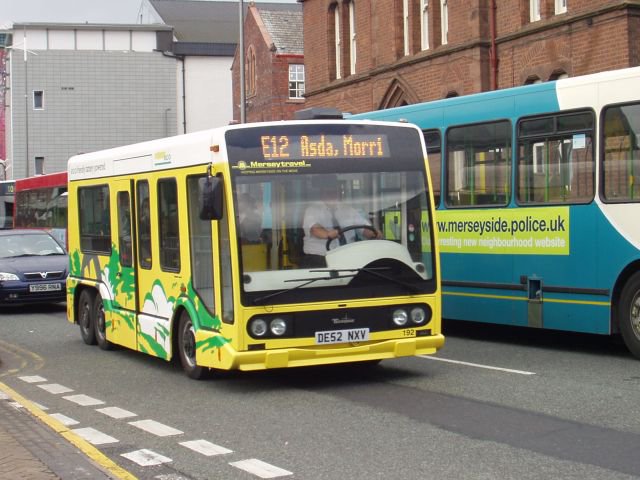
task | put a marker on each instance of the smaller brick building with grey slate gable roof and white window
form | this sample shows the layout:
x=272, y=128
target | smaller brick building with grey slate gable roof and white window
x=274, y=63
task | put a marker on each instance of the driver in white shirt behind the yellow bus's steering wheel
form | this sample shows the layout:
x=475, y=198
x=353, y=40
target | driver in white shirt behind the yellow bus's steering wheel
x=322, y=221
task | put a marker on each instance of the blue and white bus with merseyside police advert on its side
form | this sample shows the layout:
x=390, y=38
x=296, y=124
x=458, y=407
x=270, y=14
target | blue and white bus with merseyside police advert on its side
x=538, y=202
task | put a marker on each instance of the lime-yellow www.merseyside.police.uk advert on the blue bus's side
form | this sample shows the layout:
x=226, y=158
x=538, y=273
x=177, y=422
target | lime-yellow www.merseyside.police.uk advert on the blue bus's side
x=519, y=231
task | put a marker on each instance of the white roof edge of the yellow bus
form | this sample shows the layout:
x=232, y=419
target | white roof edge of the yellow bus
x=190, y=149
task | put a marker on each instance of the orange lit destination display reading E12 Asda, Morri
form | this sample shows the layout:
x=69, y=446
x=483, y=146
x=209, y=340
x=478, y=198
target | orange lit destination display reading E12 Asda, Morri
x=300, y=147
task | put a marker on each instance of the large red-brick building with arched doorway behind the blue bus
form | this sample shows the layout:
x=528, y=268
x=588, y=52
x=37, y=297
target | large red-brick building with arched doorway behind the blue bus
x=363, y=55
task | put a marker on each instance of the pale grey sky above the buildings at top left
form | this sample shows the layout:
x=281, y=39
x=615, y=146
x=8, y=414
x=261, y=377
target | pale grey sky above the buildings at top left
x=73, y=11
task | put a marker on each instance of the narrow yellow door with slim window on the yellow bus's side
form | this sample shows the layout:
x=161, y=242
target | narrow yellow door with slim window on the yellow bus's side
x=123, y=328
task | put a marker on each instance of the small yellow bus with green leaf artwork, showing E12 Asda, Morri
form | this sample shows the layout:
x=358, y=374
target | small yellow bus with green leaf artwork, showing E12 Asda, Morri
x=195, y=246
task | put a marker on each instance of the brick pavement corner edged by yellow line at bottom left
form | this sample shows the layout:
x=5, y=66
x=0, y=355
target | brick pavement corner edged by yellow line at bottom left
x=35, y=446
